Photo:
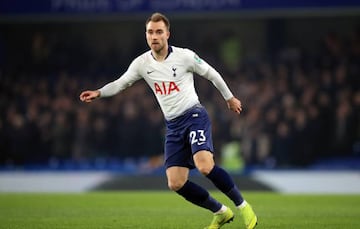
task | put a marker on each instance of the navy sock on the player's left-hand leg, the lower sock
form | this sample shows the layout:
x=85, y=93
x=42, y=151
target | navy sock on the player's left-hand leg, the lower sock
x=199, y=196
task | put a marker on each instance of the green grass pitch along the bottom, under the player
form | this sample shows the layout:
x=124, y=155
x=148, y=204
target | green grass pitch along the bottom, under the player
x=164, y=209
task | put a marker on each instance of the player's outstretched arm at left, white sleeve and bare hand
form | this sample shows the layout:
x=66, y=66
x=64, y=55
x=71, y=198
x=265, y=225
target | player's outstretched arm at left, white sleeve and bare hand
x=114, y=87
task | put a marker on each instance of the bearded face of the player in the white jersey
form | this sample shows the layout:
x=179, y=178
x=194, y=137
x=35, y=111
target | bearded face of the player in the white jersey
x=157, y=36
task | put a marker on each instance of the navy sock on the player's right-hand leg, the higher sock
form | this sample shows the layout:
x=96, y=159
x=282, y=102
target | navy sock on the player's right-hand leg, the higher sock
x=222, y=180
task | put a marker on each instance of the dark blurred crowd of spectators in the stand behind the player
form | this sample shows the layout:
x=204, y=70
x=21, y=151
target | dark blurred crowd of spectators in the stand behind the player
x=297, y=107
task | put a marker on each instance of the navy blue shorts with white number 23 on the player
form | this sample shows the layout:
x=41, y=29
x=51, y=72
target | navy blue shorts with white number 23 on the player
x=186, y=135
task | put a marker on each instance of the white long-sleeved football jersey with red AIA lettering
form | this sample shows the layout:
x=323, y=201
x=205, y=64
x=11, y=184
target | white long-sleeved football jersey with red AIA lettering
x=171, y=80
